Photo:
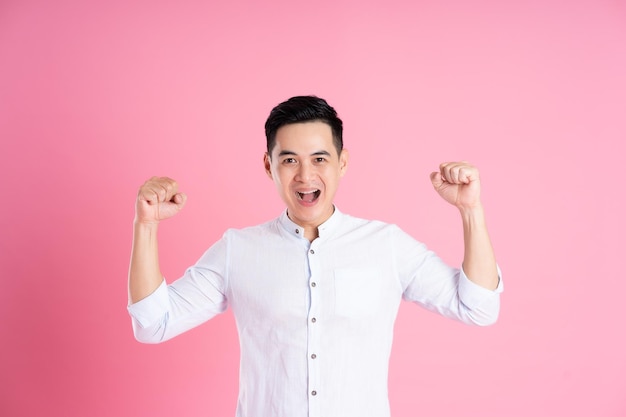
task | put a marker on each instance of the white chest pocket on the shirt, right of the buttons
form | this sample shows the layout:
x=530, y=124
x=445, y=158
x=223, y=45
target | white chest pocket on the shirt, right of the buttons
x=359, y=292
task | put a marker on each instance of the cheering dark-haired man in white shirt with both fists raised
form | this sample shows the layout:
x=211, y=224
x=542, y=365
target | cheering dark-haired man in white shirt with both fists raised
x=314, y=292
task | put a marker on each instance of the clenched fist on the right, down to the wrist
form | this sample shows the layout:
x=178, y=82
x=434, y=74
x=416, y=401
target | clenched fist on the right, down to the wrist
x=458, y=183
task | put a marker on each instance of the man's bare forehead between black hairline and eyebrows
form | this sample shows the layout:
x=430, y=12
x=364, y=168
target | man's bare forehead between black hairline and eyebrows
x=306, y=138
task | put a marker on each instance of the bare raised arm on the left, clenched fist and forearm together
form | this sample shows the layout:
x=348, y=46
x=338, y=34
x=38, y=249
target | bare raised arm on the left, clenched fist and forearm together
x=158, y=199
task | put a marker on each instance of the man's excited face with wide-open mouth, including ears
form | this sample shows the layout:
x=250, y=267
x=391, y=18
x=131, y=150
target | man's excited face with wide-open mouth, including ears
x=306, y=169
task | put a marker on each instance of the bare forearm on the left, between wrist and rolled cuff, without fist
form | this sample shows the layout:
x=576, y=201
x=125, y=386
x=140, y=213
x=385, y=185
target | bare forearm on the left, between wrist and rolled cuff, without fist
x=144, y=275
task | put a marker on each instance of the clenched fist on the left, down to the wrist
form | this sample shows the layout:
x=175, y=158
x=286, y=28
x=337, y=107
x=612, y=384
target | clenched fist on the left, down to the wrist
x=158, y=199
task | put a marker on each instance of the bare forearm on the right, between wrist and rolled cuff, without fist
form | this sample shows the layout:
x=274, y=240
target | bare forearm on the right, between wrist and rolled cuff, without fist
x=479, y=262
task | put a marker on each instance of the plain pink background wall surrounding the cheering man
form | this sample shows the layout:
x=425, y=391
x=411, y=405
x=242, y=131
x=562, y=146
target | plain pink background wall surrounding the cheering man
x=97, y=96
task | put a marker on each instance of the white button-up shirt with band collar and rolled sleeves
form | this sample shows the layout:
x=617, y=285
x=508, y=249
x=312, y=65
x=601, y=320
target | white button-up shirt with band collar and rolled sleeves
x=315, y=319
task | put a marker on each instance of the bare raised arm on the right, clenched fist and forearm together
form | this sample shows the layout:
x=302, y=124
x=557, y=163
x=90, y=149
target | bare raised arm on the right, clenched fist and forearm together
x=458, y=183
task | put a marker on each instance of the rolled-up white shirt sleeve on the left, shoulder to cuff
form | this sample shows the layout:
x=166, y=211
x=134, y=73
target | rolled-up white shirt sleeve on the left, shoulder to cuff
x=199, y=295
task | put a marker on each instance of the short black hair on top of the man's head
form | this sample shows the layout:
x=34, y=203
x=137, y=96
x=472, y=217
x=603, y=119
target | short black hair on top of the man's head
x=302, y=109
